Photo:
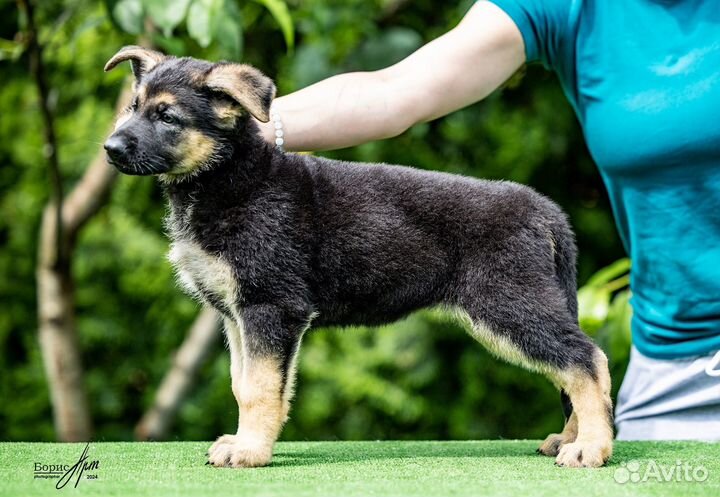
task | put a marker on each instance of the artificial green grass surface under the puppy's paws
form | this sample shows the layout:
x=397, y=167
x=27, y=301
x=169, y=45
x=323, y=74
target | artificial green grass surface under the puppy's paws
x=347, y=469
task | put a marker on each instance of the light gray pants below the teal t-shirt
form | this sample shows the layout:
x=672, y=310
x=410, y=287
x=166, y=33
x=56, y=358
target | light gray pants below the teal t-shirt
x=668, y=400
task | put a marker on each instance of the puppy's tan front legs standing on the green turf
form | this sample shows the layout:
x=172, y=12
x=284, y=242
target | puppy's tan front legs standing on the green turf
x=262, y=350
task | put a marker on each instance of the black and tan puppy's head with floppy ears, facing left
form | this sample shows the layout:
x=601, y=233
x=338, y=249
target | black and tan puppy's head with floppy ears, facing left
x=185, y=114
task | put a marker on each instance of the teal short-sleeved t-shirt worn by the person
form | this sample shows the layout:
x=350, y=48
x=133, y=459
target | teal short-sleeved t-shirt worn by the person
x=644, y=79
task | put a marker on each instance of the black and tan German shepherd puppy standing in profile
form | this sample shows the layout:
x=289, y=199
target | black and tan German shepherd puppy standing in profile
x=277, y=242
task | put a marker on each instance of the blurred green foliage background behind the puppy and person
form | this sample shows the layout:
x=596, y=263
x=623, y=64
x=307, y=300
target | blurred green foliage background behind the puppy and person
x=421, y=378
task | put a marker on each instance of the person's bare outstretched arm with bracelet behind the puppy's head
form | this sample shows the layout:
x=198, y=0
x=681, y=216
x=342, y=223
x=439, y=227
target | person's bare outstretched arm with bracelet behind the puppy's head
x=459, y=68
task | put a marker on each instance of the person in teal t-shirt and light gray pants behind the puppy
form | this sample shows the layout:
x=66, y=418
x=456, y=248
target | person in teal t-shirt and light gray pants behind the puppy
x=643, y=77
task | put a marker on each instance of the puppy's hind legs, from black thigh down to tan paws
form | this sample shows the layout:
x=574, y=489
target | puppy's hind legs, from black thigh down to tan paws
x=541, y=335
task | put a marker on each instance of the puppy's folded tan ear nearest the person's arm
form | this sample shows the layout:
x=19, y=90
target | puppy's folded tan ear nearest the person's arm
x=245, y=85
